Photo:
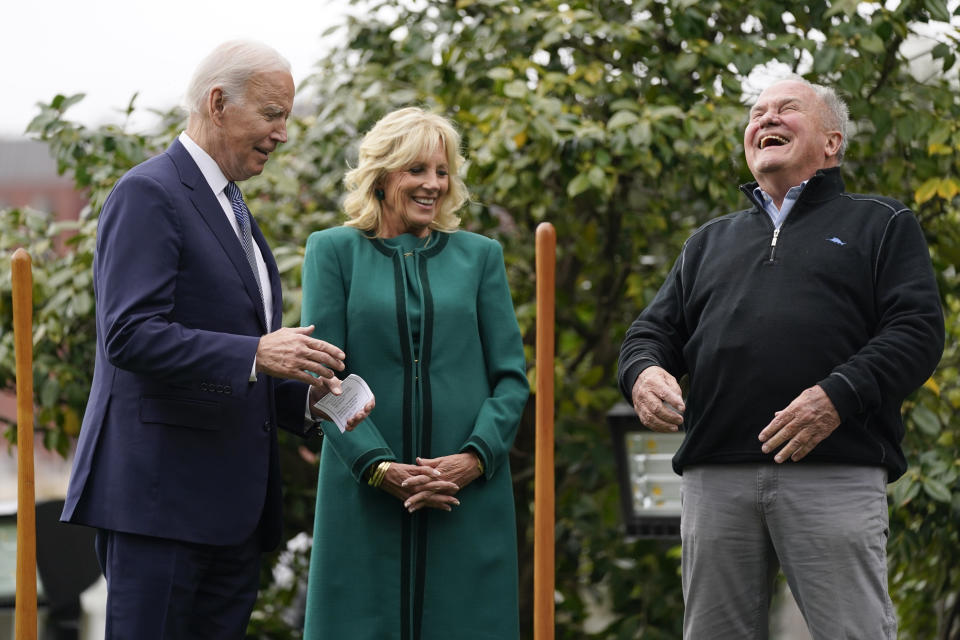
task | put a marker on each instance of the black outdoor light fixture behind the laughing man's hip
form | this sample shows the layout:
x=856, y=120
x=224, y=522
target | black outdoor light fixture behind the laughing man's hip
x=649, y=488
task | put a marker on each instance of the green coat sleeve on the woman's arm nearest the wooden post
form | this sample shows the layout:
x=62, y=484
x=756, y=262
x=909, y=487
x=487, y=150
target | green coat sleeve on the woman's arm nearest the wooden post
x=499, y=415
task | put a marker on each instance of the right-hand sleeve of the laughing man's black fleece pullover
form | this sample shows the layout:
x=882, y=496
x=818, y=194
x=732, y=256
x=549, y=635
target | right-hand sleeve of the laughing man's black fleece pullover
x=908, y=343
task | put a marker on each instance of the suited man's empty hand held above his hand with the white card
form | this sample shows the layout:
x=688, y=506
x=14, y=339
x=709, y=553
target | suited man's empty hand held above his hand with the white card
x=292, y=353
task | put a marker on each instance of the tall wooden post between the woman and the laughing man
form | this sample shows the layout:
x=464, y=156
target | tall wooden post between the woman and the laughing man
x=544, y=504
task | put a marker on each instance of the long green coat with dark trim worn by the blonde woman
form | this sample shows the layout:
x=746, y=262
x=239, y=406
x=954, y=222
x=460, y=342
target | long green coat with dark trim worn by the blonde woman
x=376, y=571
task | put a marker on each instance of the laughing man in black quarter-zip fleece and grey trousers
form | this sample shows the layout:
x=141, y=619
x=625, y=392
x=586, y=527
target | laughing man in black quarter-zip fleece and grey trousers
x=802, y=322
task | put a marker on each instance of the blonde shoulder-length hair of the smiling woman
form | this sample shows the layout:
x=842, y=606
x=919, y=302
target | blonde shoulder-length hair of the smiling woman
x=396, y=141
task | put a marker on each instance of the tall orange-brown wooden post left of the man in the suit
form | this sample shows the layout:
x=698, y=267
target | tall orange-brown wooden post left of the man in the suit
x=25, y=618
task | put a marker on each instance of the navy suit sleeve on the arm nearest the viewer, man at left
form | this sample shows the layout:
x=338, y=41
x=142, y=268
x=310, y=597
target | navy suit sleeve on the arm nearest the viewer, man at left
x=137, y=267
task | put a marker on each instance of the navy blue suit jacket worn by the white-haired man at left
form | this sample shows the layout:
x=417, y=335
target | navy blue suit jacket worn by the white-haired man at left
x=176, y=442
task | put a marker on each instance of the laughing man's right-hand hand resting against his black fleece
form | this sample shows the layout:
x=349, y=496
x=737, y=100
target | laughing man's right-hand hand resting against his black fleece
x=802, y=425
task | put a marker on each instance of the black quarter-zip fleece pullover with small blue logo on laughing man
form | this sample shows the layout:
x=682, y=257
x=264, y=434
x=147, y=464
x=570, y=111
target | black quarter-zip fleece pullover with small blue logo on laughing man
x=844, y=296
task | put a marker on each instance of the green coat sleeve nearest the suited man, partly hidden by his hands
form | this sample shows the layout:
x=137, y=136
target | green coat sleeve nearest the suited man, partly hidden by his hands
x=325, y=306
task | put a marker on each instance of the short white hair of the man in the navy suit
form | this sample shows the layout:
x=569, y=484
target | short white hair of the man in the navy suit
x=230, y=67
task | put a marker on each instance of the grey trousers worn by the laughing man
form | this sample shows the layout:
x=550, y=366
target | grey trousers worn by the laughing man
x=824, y=524
